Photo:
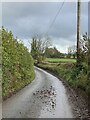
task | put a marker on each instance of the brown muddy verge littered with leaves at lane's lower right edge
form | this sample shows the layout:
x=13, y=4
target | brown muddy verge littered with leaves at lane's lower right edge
x=79, y=102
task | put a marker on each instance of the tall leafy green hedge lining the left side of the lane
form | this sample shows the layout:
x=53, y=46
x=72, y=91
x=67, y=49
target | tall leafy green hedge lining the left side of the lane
x=17, y=64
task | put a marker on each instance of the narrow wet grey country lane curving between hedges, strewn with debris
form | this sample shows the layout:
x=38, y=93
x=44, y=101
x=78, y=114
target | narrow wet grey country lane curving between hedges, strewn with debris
x=45, y=97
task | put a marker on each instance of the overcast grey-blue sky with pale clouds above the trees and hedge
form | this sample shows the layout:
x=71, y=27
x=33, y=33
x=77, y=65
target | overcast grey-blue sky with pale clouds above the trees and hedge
x=26, y=19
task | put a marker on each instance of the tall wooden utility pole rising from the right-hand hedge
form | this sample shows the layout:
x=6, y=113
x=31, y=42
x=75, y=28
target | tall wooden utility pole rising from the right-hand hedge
x=78, y=31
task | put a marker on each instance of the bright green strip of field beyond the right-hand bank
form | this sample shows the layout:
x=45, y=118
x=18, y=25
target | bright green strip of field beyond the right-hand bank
x=55, y=60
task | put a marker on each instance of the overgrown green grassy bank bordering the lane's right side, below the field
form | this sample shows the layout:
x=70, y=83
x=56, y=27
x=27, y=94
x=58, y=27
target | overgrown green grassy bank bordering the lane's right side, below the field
x=69, y=73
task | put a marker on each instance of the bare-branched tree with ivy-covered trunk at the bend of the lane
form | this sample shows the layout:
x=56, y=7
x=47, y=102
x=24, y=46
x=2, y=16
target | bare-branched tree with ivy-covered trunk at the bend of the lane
x=38, y=47
